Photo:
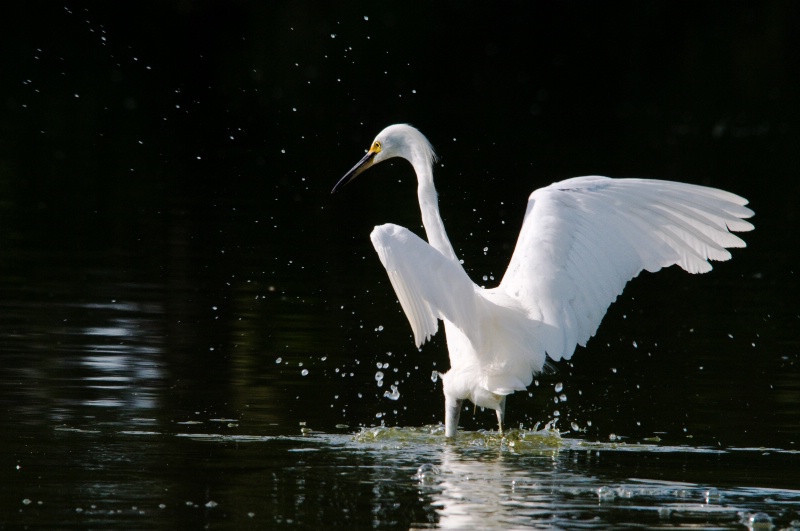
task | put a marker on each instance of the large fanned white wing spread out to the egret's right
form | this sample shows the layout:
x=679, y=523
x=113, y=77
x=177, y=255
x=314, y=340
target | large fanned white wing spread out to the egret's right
x=583, y=239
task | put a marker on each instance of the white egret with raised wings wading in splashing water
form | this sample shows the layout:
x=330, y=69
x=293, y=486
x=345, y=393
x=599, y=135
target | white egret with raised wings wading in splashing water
x=582, y=240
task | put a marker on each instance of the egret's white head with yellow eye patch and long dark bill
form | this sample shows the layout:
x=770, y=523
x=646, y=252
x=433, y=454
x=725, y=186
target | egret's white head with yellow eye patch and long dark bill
x=399, y=140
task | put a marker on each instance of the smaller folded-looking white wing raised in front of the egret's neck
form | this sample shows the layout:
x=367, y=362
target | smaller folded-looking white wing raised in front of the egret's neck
x=428, y=285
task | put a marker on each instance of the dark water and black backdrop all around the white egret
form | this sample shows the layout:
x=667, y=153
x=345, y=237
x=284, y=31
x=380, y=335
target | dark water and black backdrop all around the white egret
x=193, y=332
